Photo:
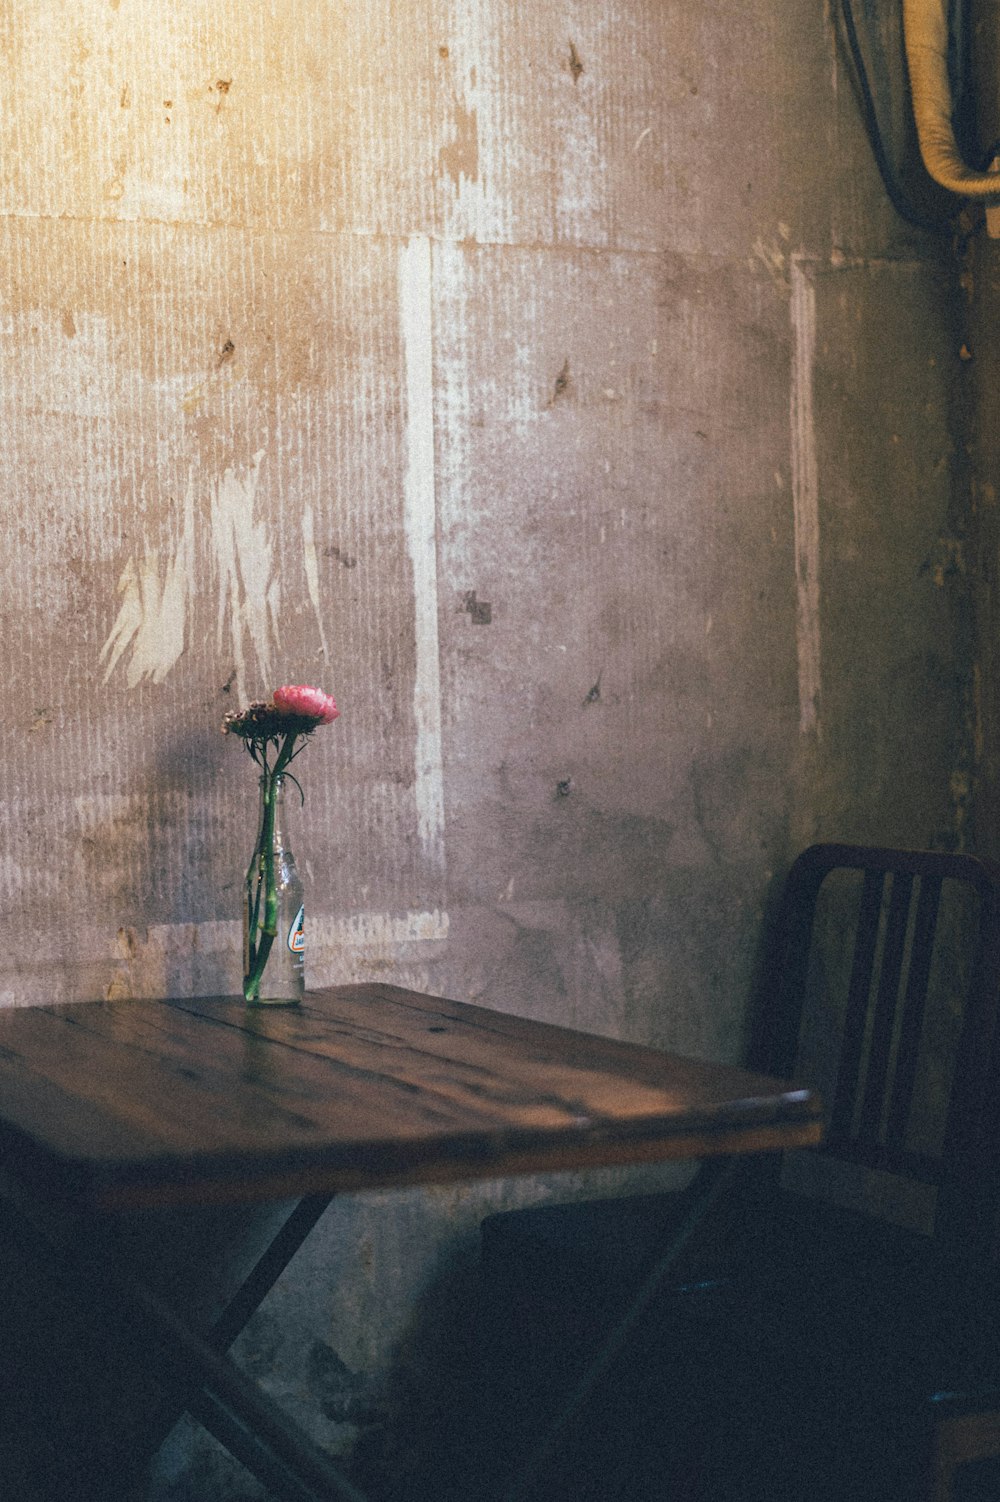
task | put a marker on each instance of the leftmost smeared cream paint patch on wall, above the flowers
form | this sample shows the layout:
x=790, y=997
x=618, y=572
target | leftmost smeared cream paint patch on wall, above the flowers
x=152, y=617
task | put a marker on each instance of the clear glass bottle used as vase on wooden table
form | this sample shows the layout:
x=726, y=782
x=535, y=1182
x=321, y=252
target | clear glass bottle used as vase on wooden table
x=274, y=911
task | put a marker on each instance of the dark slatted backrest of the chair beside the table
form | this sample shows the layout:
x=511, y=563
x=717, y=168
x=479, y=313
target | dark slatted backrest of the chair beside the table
x=884, y=991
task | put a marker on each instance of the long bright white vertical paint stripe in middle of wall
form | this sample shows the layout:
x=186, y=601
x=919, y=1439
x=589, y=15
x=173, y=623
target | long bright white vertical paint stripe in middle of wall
x=420, y=517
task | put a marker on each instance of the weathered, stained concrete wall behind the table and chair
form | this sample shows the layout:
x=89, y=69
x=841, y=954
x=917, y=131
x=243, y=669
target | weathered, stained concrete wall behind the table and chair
x=550, y=381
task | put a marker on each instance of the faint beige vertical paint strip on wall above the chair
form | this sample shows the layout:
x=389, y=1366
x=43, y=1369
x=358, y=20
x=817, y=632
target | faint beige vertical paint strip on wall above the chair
x=806, y=498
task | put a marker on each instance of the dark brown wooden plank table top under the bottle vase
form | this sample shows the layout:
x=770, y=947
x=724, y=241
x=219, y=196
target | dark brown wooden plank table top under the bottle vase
x=115, y=1106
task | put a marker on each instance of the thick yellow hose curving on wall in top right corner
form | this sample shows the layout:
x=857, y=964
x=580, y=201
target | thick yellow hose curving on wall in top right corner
x=926, y=31
